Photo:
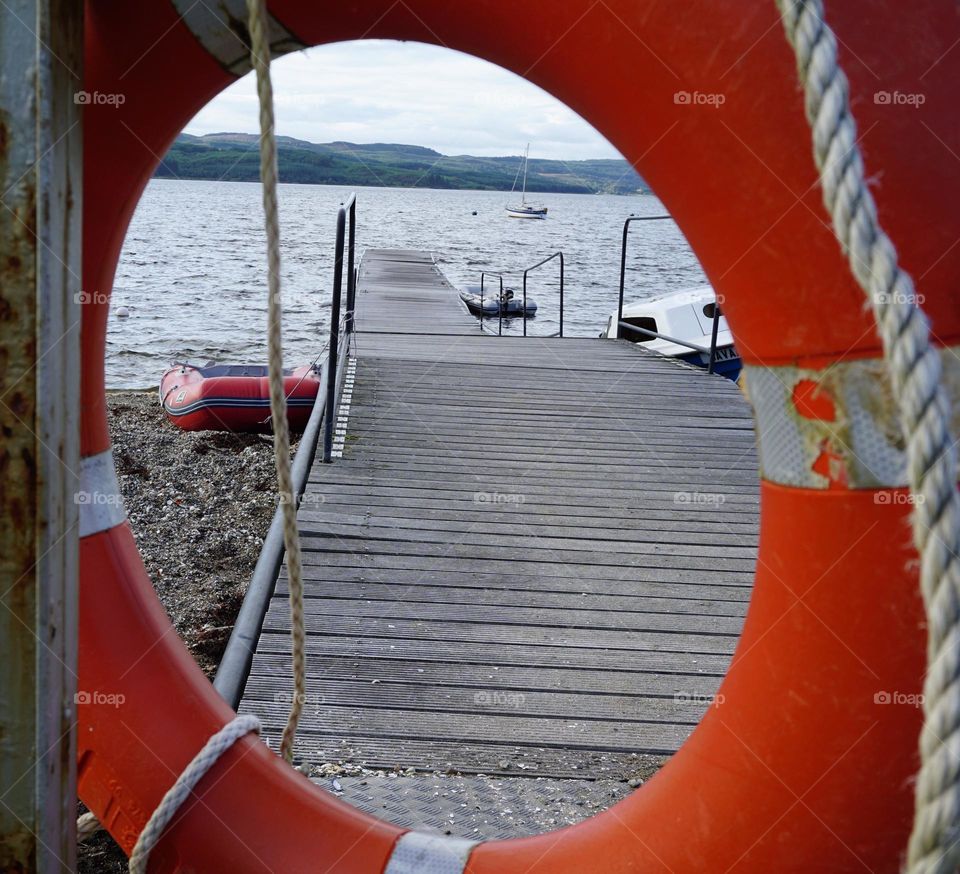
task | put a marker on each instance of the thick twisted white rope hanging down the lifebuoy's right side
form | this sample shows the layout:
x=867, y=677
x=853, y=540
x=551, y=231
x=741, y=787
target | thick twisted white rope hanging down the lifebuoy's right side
x=924, y=407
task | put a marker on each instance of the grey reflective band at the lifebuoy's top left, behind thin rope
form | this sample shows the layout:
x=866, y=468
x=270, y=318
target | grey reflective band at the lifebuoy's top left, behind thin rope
x=221, y=28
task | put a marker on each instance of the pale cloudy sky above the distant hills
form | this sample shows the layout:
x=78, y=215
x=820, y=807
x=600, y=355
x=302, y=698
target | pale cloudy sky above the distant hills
x=378, y=91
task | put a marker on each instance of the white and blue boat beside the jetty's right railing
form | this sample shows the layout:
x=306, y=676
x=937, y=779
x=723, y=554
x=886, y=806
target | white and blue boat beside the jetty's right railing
x=684, y=322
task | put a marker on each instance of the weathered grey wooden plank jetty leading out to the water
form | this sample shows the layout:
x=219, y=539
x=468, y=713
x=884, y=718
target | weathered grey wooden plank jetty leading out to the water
x=533, y=558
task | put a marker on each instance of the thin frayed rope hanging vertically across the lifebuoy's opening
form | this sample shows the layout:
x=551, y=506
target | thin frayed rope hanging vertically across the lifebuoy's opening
x=260, y=54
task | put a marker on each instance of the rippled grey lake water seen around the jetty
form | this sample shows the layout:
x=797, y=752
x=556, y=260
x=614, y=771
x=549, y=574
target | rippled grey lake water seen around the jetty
x=192, y=272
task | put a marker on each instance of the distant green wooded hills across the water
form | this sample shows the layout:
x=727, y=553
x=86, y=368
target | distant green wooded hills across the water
x=234, y=157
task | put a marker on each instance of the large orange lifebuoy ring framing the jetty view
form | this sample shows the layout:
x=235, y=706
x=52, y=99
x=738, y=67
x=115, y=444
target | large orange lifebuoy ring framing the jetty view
x=805, y=767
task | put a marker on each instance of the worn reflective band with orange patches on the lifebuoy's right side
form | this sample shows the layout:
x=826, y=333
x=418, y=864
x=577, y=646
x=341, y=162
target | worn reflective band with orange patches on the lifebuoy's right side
x=832, y=427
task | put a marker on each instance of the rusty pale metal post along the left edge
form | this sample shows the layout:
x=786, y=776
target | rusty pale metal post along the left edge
x=41, y=52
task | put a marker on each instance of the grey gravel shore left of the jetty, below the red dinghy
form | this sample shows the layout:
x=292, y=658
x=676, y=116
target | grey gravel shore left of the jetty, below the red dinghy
x=199, y=504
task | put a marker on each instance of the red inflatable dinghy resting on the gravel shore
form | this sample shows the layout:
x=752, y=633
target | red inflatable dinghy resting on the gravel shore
x=234, y=397
